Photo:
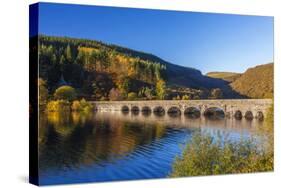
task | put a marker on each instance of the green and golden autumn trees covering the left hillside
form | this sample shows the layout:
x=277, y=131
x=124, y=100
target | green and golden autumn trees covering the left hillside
x=97, y=71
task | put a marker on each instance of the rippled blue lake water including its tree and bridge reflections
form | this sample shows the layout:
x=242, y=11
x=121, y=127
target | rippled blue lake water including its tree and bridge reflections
x=108, y=146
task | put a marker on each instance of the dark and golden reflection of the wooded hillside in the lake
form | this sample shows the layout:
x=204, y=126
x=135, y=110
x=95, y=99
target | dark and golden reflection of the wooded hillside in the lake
x=69, y=140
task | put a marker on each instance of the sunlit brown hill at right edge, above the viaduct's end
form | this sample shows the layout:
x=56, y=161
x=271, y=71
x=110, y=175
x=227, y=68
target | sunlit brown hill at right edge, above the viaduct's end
x=256, y=82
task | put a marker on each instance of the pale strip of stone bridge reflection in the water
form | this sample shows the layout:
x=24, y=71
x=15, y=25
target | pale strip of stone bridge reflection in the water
x=179, y=121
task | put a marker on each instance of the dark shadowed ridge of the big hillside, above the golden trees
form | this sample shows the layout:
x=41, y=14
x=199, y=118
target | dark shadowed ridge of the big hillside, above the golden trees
x=174, y=74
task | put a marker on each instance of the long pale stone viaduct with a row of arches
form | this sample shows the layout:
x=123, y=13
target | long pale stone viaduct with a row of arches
x=249, y=108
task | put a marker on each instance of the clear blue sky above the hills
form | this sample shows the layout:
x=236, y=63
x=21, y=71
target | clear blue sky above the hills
x=208, y=42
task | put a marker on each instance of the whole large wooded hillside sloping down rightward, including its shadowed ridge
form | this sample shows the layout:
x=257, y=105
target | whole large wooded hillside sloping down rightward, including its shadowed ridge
x=95, y=69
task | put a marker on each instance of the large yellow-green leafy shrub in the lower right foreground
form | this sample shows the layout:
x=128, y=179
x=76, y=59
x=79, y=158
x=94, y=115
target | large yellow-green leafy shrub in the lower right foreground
x=205, y=155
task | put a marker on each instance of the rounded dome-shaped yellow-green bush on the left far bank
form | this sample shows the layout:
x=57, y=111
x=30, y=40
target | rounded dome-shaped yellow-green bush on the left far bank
x=65, y=93
